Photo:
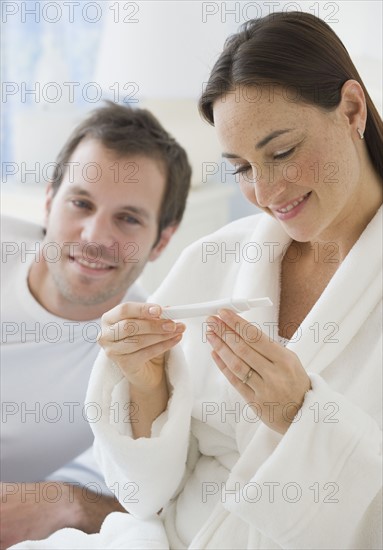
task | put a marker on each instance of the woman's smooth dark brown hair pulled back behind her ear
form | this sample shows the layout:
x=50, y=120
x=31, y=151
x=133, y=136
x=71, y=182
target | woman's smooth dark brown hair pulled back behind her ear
x=293, y=50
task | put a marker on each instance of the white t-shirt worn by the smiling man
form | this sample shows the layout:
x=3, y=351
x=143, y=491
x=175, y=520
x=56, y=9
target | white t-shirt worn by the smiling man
x=45, y=366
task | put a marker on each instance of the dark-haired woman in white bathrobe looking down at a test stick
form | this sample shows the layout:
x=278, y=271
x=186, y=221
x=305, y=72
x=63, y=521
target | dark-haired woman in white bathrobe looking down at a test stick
x=283, y=450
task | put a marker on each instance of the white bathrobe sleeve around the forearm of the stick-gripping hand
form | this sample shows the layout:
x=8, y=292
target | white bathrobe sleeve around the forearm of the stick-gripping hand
x=143, y=473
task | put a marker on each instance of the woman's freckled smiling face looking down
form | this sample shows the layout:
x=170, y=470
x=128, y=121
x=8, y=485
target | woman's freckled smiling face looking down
x=294, y=161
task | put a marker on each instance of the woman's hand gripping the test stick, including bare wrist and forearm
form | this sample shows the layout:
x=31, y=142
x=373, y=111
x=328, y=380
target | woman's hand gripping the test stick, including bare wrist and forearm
x=136, y=339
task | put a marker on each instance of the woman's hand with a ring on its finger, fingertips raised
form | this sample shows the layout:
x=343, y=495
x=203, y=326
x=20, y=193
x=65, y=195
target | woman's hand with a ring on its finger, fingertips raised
x=269, y=377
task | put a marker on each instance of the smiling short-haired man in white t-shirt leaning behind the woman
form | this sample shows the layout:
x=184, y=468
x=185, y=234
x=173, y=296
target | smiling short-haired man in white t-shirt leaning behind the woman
x=116, y=197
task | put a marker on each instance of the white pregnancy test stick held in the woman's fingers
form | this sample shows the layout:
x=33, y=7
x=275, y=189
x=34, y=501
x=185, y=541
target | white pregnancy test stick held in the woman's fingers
x=211, y=308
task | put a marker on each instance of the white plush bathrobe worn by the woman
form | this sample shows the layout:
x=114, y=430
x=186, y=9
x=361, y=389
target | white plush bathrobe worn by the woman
x=221, y=477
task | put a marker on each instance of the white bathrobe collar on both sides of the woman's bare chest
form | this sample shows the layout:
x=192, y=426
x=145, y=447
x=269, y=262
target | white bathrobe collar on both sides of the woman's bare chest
x=344, y=305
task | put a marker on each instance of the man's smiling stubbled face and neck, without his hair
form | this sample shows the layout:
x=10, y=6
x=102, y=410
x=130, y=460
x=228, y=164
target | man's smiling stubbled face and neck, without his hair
x=104, y=217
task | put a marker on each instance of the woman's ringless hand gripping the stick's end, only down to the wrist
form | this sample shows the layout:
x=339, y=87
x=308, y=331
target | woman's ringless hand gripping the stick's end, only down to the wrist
x=136, y=339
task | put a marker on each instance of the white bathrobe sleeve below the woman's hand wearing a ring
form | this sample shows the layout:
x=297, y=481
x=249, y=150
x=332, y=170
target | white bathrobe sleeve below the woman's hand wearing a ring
x=322, y=482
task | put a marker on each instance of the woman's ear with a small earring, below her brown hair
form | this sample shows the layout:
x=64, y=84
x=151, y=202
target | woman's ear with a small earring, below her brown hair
x=353, y=105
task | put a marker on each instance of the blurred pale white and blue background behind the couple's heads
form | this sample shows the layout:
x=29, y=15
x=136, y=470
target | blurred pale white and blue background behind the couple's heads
x=62, y=59
